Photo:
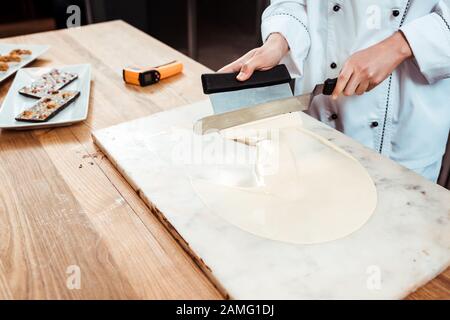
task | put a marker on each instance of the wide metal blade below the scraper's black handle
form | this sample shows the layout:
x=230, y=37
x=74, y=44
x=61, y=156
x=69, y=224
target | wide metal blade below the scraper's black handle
x=229, y=101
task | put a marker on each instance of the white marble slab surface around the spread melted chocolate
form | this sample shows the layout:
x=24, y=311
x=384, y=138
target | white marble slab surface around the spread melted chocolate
x=405, y=244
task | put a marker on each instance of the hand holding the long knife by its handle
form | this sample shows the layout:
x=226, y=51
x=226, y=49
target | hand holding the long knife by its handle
x=366, y=69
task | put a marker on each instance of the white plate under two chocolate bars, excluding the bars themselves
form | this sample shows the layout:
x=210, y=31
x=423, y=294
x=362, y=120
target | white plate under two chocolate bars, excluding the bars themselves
x=15, y=103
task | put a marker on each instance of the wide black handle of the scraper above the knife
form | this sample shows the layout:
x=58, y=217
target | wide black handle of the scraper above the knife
x=225, y=82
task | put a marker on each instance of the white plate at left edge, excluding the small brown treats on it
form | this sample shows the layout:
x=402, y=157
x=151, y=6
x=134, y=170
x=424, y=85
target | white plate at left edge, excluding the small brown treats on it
x=5, y=48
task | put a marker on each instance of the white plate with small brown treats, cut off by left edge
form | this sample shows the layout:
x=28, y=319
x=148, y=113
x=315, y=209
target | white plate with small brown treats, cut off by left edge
x=9, y=64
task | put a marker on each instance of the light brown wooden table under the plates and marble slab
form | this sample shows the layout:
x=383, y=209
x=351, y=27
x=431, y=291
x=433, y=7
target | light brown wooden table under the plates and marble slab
x=63, y=204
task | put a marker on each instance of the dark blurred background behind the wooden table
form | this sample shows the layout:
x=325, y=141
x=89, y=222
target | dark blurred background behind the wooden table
x=224, y=29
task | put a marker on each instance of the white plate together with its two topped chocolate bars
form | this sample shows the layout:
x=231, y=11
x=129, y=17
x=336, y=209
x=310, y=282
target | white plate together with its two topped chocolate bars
x=28, y=96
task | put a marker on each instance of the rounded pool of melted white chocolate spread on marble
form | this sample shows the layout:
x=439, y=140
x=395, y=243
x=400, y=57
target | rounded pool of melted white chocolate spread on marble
x=308, y=191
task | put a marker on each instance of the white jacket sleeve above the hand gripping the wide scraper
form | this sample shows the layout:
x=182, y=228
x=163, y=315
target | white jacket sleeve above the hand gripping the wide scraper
x=289, y=18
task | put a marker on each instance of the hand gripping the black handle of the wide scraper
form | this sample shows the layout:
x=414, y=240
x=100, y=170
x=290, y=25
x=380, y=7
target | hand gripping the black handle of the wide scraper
x=262, y=58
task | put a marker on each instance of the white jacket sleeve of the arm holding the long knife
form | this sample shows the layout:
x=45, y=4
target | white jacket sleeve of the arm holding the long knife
x=429, y=38
